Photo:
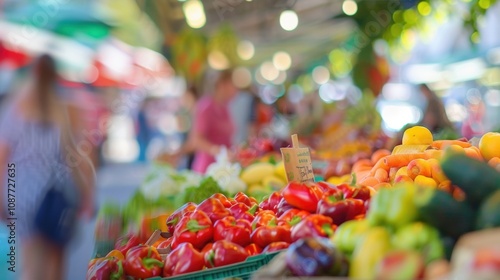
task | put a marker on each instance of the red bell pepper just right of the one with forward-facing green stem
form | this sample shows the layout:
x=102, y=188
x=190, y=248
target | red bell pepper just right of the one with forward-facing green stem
x=234, y=230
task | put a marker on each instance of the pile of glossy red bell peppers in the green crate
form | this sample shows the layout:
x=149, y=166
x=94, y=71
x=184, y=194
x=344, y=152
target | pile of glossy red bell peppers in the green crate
x=225, y=230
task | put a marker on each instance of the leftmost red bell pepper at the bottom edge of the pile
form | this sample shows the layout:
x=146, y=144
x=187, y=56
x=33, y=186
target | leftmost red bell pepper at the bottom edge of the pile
x=106, y=268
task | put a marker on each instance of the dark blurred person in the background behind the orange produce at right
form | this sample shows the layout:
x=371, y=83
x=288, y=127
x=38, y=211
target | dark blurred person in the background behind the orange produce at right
x=435, y=118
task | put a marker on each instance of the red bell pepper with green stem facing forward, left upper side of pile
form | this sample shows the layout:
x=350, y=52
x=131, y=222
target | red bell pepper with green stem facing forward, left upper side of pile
x=195, y=228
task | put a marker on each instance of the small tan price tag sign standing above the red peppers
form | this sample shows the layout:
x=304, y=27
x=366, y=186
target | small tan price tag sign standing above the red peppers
x=297, y=162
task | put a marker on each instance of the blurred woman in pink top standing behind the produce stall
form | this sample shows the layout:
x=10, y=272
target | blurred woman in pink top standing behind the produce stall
x=213, y=127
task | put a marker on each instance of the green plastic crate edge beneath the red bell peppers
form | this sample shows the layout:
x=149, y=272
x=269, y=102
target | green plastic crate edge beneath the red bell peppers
x=243, y=270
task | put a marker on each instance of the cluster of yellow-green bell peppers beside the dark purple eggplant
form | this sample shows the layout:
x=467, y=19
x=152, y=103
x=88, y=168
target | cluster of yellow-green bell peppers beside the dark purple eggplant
x=391, y=224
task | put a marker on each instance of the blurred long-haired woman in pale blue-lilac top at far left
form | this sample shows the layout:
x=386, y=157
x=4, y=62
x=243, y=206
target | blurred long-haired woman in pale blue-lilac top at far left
x=39, y=135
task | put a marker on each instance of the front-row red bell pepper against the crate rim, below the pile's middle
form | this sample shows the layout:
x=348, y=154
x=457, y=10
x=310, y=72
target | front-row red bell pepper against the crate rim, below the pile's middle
x=225, y=252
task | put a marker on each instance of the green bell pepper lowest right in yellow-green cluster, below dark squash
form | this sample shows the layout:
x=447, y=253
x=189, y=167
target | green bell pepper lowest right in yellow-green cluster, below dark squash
x=421, y=237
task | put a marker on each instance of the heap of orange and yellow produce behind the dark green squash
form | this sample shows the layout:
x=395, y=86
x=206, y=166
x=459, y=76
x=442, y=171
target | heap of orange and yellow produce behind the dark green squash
x=416, y=160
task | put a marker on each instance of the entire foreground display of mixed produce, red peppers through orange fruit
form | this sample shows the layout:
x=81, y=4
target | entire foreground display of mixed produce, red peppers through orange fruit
x=400, y=214
